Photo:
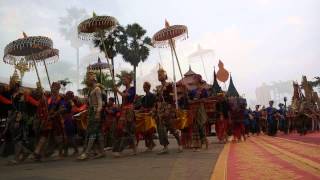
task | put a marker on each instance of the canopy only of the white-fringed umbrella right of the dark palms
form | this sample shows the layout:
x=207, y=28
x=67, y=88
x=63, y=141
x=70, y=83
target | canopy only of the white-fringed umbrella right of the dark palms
x=170, y=33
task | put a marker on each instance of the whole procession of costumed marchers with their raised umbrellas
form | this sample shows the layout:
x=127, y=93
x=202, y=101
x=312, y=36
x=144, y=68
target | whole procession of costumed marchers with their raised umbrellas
x=36, y=124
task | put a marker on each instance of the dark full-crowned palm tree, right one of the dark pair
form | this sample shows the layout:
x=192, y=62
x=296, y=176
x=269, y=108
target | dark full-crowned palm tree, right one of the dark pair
x=134, y=46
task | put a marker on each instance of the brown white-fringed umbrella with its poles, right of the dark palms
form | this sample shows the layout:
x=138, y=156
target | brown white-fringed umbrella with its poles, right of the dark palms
x=167, y=36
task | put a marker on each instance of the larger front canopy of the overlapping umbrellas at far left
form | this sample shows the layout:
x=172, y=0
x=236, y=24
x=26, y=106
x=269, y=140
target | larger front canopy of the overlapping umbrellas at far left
x=17, y=50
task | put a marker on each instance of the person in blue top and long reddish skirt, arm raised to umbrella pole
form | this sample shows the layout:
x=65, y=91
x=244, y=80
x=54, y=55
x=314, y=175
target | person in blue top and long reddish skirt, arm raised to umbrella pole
x=125, y=128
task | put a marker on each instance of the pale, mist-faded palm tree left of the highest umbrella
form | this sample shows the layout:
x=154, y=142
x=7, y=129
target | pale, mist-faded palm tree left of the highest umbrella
x=68, y=29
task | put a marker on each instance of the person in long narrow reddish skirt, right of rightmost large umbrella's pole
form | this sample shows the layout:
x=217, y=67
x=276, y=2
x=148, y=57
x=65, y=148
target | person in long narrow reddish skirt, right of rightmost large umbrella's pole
x=200, y=118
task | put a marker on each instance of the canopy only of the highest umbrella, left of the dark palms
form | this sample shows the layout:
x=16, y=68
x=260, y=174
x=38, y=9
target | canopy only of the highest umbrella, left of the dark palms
x=89, y=27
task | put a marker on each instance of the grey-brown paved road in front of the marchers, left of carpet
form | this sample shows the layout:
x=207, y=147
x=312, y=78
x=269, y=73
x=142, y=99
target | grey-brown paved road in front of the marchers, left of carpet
x=186, y=165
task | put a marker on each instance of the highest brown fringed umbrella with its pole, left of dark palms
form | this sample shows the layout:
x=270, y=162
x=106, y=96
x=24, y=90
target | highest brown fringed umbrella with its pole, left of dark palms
x=98, y=27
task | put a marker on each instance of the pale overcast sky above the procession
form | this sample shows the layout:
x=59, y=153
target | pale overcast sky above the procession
x=258, y=40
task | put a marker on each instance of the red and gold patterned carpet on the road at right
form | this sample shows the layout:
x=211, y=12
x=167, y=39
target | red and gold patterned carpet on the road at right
x=266, y=157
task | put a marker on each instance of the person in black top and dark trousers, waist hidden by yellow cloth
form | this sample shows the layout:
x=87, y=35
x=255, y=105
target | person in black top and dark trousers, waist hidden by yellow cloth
x=147, y=104
